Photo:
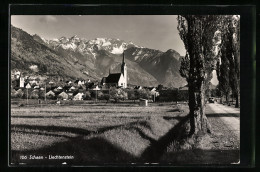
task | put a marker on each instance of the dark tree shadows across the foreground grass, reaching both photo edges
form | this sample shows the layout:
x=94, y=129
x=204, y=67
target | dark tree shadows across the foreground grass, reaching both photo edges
x=97, y=150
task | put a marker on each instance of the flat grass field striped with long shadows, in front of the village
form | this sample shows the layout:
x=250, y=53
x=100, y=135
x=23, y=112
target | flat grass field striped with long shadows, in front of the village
x=93, y=133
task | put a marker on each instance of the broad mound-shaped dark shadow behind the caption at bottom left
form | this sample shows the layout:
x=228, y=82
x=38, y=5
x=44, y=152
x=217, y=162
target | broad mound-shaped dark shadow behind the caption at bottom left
x=93, y=151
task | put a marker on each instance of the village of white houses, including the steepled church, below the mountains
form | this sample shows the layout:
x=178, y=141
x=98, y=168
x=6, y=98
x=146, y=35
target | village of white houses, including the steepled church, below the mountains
x=113, y=87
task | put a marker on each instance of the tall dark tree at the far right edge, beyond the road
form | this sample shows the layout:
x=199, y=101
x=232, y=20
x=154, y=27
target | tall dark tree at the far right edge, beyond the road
x=228, y=66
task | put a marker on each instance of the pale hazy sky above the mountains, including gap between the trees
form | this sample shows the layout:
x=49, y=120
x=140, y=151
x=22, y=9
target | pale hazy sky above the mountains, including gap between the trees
x=150, y=31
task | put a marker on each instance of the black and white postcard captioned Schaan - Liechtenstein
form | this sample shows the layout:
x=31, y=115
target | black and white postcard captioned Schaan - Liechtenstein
x=89, y=90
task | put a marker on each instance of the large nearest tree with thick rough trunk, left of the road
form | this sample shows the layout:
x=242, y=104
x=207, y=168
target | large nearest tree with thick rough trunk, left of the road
x=201, y=40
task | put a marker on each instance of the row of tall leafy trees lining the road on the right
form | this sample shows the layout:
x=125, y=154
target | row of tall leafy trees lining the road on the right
x=209, y=40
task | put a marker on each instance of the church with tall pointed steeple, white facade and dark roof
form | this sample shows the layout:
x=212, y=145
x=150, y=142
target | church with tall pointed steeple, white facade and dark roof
x=117, y=79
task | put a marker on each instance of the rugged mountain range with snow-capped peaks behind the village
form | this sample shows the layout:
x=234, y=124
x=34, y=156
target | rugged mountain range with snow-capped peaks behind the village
x=79, y=58
